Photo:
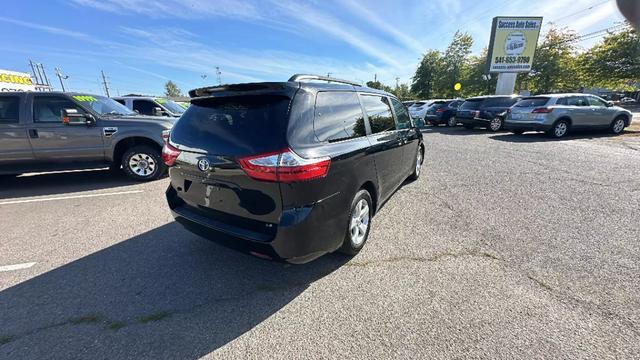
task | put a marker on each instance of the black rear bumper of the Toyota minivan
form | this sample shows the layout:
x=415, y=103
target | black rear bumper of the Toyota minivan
x=302, y=234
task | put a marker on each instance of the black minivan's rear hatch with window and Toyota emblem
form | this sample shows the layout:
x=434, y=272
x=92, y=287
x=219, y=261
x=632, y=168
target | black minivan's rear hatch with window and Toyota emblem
x=212, y=136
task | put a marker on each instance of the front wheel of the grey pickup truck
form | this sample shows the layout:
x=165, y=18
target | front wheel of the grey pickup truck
x=143, y=163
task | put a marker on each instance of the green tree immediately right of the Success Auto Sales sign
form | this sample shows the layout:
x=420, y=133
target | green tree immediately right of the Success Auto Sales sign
x=555, y=68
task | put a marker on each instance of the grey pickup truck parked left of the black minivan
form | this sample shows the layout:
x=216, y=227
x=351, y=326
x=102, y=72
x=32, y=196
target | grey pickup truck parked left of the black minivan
x=47, y=131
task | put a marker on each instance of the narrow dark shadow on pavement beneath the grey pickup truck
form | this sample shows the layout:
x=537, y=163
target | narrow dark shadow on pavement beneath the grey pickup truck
x=61, y=183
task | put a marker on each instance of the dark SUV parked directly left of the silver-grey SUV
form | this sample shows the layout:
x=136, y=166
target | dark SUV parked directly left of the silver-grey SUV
x=485, y=111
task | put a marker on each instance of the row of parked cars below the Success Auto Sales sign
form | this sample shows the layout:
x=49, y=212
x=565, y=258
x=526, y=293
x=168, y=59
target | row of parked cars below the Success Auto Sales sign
x=555, y=114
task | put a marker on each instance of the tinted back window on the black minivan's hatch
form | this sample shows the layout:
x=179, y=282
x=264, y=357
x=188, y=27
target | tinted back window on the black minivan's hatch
x=234, y=126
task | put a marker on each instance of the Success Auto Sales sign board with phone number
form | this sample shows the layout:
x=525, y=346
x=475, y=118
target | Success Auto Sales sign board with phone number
x=513, y=44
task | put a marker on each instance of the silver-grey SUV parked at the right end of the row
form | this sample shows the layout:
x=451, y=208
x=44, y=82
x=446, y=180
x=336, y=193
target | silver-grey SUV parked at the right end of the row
x=558, y=114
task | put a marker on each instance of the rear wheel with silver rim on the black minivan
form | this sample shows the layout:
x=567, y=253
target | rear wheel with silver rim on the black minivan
x=354, y=243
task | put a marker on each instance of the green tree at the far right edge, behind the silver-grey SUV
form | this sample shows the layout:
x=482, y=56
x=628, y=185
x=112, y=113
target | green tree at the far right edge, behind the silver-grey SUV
x=613, y=63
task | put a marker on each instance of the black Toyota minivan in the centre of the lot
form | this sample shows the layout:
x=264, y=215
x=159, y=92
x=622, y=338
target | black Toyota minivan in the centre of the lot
x=290, y=170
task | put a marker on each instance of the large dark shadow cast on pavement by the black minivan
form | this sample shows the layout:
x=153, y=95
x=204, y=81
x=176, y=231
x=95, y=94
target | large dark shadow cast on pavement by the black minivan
x=162, y=294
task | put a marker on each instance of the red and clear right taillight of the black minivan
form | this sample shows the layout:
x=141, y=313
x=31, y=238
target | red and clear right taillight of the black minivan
x=284, y=166
